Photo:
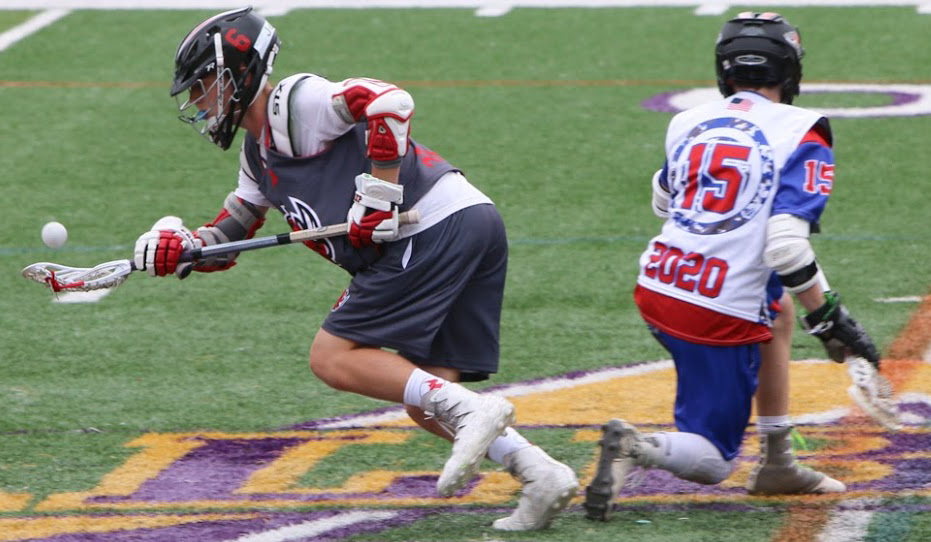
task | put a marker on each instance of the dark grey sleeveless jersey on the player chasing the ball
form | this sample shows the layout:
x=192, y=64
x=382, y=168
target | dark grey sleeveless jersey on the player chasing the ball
x=318, y=190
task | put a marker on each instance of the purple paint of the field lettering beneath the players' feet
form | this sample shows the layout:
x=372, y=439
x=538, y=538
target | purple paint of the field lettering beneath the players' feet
x=219, y=467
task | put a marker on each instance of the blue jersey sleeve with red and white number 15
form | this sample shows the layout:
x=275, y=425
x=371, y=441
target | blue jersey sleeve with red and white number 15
x=806, y=182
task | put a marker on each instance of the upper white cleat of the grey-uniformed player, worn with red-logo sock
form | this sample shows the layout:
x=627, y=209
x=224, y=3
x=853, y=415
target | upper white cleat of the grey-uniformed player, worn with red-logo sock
x=475, y=421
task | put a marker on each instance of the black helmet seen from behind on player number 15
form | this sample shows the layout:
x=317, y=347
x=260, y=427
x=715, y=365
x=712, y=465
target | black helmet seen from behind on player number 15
x=759, y=49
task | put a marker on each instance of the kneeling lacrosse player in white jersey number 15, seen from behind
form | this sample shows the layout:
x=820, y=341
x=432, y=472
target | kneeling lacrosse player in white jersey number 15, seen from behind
x=744, y=184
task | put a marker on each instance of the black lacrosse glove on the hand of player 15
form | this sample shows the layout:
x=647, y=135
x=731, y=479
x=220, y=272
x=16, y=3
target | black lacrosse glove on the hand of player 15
x=839, y=331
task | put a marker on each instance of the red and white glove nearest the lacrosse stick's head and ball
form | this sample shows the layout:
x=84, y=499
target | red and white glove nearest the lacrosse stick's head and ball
x=159, y=250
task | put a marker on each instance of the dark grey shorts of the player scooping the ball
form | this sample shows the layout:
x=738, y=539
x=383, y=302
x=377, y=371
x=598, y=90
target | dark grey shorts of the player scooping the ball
x=434, y=297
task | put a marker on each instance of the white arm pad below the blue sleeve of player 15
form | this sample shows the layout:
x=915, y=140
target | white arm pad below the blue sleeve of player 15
x=788, y=250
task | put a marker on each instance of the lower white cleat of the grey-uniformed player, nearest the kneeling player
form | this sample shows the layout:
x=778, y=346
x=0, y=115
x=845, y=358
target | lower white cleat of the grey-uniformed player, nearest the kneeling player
x=548, y=487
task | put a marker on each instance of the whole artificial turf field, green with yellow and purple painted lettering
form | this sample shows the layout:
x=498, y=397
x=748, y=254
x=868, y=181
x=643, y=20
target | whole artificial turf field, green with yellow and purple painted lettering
x=184, y=411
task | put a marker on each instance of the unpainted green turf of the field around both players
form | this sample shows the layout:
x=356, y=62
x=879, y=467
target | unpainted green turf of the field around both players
x=545, y=118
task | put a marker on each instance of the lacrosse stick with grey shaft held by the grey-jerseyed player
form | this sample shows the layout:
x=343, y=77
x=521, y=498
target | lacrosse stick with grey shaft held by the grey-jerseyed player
x=62, y=278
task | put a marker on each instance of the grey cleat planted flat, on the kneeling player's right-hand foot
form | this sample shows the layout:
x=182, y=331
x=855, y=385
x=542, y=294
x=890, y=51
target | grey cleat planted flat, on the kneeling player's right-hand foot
x=778, y=473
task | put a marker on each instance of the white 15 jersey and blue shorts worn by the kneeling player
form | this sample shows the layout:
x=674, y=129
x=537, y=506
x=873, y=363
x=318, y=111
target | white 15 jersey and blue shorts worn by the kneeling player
x=703, y=287
